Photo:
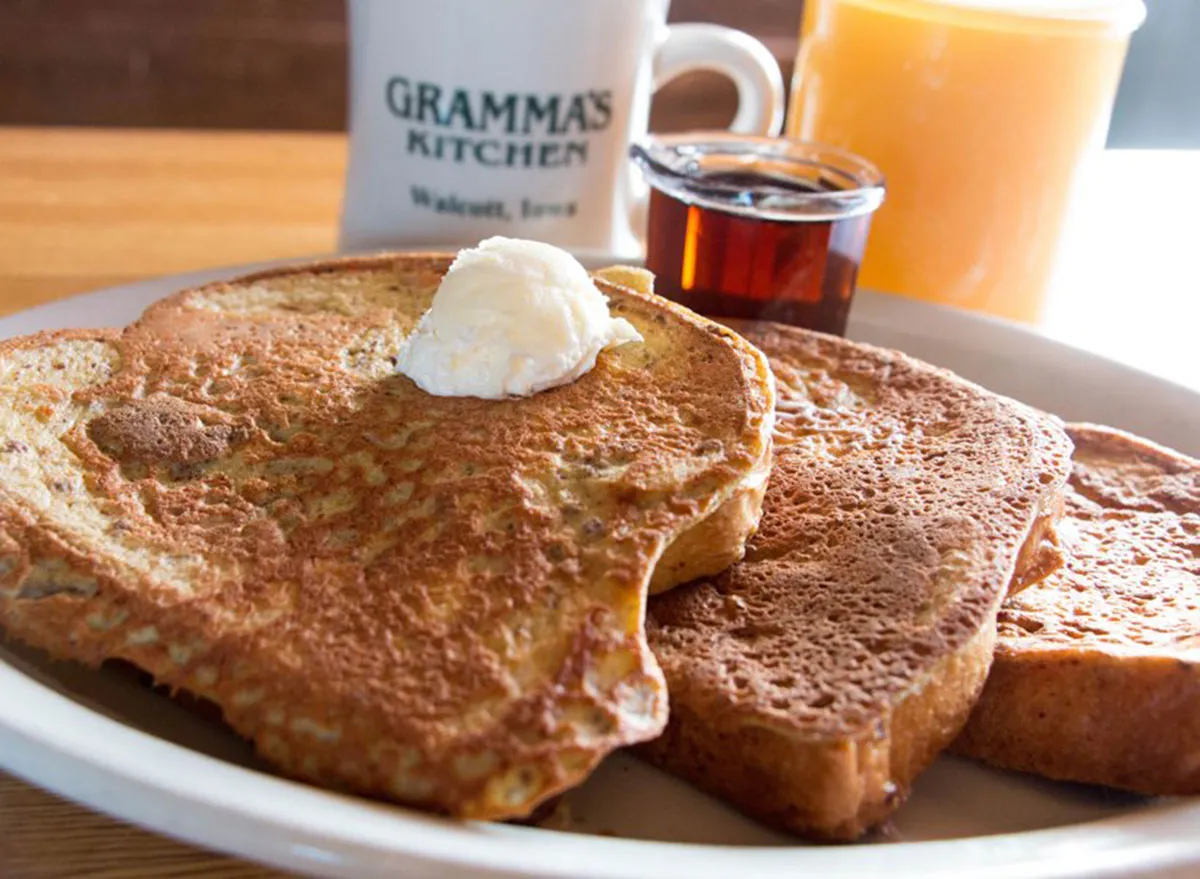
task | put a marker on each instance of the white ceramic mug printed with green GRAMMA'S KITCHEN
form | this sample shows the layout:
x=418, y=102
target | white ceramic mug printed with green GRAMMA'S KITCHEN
x=471, y=118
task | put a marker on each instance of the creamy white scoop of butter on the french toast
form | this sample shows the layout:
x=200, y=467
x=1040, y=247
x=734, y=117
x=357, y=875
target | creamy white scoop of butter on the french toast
x=511, y=319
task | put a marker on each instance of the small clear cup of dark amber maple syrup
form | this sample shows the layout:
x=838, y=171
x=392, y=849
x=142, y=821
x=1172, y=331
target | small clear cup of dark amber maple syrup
x=758, y=228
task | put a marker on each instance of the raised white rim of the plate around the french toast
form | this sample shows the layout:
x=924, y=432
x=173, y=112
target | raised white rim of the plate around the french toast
x=50, y=727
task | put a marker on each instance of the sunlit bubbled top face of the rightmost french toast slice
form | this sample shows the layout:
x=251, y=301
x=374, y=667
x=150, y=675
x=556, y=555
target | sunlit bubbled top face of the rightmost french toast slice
x=1132, y=543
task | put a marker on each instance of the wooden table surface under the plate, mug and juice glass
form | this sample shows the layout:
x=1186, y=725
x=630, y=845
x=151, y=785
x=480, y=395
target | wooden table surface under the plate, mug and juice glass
x=82, y=210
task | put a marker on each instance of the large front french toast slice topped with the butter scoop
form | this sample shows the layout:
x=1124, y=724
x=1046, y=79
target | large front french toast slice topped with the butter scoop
x=435, y=601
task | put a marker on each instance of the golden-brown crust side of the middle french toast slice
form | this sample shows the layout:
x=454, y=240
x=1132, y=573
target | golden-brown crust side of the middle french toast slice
x=863, y=780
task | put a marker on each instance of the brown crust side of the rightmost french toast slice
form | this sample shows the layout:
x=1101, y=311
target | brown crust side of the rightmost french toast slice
x=1093, y=716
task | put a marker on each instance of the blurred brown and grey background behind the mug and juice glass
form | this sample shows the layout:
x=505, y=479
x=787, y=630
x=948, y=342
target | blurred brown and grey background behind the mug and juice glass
x=281, y=64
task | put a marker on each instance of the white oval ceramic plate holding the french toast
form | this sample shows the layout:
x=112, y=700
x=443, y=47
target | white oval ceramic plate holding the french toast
x=105, y=740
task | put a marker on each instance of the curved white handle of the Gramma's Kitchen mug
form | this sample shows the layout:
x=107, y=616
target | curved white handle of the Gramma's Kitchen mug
x=739, y=56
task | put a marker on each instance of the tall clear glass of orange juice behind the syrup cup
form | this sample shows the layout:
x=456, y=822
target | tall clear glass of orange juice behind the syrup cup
x=979, y=113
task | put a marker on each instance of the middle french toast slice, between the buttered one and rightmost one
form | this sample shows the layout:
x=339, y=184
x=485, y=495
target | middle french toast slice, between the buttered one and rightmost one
x=813, y=681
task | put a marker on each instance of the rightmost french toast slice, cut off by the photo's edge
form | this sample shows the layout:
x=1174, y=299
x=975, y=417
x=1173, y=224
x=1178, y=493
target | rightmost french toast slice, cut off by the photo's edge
x=1097, y=671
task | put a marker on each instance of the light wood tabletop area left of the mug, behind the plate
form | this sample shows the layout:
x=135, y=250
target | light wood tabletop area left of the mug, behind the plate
x=81, y=210
